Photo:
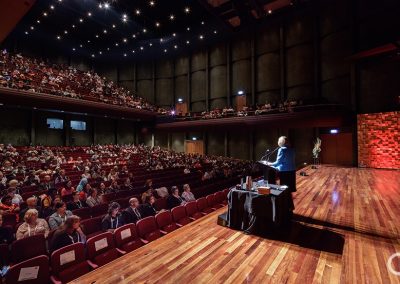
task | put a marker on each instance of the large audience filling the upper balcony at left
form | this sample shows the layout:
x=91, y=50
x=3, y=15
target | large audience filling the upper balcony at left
x=35, y=75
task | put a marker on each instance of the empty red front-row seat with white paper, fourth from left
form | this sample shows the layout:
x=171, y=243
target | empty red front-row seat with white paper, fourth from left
x=126, y=238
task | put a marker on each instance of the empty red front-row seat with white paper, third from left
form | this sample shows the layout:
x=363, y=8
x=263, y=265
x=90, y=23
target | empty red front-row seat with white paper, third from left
x=101, y=249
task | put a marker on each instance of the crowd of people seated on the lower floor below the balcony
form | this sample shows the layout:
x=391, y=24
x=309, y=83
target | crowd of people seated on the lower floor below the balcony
x=47, y=169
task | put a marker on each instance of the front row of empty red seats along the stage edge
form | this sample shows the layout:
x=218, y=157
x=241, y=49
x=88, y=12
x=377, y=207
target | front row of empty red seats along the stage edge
x=71, y=262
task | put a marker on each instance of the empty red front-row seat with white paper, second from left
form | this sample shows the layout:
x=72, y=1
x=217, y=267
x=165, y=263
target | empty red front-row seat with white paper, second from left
x=68, y=263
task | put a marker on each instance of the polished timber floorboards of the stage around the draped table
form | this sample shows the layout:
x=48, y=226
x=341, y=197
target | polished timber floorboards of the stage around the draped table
x=346, y=227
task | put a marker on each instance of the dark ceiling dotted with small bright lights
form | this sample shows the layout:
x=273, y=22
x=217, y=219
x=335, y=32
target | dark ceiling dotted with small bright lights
x=139, y=29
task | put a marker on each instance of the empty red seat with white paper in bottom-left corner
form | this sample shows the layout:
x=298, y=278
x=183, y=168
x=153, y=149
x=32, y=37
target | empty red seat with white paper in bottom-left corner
x=32, y=271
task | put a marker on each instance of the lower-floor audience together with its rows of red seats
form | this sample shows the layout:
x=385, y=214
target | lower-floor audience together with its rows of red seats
x=69, y=195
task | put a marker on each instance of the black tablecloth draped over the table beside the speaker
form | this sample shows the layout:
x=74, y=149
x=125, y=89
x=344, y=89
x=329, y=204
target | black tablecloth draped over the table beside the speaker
x=256, y=213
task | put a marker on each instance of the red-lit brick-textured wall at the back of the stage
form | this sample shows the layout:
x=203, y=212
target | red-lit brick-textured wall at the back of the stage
x=378, y=140
